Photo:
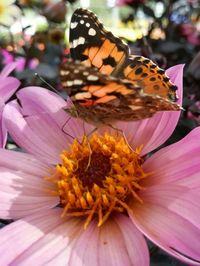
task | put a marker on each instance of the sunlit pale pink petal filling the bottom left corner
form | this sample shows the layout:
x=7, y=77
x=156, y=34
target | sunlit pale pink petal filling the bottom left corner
x=39, y=239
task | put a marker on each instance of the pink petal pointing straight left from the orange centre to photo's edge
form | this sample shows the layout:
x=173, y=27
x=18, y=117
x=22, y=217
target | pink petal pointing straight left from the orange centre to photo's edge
x=23, y=191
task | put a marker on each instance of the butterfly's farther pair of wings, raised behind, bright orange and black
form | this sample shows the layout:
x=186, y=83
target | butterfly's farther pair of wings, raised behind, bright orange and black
x=92, y=44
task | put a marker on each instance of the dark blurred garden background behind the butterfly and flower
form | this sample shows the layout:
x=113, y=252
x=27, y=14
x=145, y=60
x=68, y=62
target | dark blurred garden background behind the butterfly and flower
x=34, y=33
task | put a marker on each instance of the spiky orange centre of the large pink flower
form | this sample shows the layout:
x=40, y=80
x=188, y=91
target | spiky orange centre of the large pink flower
x=98, y=177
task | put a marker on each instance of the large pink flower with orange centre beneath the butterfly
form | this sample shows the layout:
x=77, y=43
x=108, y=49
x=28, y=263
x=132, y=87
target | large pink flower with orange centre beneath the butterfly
x=164, y=205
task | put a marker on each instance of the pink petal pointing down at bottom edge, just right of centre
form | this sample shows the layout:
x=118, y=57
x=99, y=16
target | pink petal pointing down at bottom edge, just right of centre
x=112, y=245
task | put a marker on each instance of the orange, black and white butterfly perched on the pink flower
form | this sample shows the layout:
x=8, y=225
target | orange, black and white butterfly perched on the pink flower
x=105, y=82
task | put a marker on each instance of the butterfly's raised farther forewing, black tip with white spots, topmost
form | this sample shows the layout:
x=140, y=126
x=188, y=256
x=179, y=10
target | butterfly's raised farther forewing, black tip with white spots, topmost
x=92, y=44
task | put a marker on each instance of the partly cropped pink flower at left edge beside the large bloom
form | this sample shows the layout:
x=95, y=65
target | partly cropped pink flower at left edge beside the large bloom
x=8, y=85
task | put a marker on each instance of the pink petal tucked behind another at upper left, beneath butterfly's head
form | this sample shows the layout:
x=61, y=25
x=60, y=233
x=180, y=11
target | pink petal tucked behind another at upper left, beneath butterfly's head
x=36, y=100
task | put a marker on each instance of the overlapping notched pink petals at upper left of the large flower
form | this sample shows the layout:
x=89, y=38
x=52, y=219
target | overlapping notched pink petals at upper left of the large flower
x=41, y=126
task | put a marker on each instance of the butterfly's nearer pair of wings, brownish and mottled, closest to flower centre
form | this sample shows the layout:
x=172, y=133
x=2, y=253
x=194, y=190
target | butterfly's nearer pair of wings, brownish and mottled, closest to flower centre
x=100, y=98
